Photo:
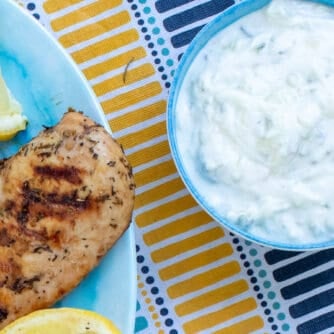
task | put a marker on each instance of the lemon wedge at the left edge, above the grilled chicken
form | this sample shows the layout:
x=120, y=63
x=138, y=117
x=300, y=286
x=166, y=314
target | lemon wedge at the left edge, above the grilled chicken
x=11, y=118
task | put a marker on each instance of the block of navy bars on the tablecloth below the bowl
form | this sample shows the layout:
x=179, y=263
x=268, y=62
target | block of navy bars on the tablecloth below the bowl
x=312, y=278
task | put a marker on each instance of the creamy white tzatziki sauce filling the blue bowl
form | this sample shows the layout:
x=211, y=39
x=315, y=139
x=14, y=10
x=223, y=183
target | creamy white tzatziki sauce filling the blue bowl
x=255, y=122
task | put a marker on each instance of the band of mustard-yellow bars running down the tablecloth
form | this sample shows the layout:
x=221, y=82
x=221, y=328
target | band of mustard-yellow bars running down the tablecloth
x=194, y=259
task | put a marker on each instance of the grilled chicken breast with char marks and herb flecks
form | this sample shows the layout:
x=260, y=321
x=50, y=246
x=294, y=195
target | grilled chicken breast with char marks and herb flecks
x=65, y=199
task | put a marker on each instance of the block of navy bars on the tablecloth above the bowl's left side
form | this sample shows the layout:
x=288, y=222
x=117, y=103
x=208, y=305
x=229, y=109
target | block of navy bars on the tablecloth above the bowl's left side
x=180, y=21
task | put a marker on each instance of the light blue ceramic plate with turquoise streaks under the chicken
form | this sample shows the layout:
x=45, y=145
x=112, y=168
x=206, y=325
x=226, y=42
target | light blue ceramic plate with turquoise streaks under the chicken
x=46, y=82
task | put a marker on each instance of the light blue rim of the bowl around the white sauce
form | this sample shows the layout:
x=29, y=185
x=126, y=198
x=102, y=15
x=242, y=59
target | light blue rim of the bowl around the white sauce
x=223, y=20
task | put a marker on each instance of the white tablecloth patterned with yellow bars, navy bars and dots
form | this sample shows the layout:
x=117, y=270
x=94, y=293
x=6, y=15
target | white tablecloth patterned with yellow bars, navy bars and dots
x=193, y=276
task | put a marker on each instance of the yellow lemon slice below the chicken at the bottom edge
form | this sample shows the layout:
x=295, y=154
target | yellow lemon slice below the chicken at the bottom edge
x=61, y=321
